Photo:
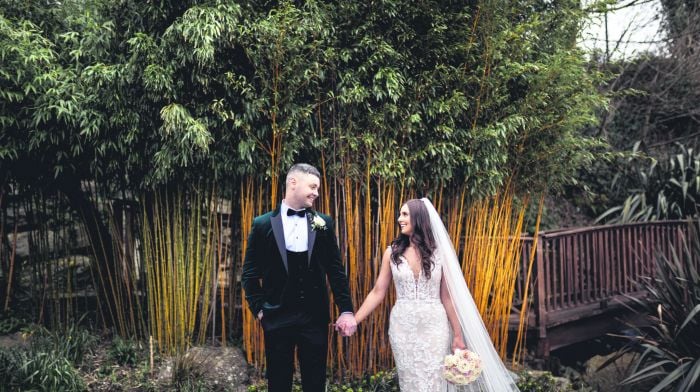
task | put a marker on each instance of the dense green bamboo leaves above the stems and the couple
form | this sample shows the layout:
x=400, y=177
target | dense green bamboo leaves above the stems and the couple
x=141, y=93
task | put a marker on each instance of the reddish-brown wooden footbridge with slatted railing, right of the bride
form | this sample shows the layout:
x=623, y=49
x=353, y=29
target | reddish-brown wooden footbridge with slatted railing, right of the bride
x=582, y=278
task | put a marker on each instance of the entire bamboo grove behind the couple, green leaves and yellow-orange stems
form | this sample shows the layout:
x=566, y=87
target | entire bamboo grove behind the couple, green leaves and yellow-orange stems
x=140, y=139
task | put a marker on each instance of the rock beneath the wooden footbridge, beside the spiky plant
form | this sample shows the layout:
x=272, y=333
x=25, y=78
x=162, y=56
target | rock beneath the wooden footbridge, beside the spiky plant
x=608, y=378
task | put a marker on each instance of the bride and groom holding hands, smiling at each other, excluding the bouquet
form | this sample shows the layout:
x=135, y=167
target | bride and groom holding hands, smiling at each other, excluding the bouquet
x=292, y=251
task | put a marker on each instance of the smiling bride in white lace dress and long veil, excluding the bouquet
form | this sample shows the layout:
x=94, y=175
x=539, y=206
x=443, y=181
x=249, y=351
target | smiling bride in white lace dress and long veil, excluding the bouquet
x=434, y=312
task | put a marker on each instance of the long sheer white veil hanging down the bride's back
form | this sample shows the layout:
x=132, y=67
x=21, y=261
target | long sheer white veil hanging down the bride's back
x=495, y=376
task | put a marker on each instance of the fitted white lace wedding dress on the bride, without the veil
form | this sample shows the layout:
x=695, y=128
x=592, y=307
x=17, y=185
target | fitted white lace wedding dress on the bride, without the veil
x=419, y=331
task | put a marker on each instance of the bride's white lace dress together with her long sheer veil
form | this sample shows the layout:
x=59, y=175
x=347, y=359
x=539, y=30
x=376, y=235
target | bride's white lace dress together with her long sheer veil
x=419, y=331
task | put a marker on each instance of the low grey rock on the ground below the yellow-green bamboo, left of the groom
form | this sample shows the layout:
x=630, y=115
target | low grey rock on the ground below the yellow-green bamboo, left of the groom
x=221, y=368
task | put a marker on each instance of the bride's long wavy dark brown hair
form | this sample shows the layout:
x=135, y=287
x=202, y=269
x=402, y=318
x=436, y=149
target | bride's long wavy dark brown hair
x=422, y=237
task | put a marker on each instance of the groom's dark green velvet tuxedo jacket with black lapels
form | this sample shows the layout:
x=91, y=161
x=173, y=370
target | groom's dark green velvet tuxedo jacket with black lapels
x=265, y=272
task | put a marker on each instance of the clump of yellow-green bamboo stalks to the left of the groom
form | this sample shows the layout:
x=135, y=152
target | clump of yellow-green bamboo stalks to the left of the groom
x=179, y=263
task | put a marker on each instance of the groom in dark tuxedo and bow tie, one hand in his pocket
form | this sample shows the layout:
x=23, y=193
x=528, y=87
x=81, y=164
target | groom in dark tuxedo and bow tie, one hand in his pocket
x=290, y=253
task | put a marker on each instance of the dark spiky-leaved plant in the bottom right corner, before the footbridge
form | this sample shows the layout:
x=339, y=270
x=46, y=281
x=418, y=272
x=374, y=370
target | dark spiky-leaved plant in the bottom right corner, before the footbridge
x=669, y=347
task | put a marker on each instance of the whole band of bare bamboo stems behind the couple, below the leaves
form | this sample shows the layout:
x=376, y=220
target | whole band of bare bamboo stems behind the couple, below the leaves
x=166, y=263
